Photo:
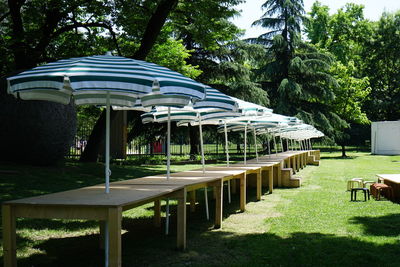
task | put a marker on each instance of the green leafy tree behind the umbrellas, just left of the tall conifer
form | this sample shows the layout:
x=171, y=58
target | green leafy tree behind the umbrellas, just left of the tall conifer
x=205, y=28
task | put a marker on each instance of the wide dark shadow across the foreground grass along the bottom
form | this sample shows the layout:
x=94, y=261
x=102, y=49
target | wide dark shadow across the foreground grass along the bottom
x=142, y=246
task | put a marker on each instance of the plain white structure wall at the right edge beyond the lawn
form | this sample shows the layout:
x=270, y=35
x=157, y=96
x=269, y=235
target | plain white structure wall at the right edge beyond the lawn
x=385, y=138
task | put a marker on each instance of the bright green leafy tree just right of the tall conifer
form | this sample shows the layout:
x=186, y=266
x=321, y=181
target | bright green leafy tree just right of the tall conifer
x=345, y=34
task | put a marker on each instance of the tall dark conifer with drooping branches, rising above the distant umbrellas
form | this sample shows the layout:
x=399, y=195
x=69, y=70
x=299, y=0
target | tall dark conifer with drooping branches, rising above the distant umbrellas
x=295, y=74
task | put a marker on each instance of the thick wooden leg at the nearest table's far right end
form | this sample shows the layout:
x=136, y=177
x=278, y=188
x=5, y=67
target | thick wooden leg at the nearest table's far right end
x=181, y=221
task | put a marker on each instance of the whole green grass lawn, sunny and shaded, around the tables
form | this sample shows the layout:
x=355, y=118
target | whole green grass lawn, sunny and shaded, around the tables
x=315, y=225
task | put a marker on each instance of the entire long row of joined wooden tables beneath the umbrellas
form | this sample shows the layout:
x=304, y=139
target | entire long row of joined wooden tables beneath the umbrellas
x=92, y=203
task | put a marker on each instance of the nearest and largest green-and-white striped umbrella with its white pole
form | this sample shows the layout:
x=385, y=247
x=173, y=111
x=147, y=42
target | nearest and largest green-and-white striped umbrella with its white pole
x=101, y=80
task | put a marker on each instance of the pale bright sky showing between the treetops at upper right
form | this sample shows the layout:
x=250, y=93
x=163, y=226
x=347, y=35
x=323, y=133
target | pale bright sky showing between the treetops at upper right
x=251, y=11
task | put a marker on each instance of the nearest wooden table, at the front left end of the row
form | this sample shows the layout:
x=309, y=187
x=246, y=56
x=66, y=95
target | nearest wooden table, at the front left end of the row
x=91, y=203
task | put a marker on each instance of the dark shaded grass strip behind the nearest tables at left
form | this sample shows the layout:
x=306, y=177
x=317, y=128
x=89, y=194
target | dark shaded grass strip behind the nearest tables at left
x=26, y=181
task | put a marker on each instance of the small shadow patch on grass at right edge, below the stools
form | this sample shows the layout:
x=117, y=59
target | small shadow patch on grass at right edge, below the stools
x=388, y=225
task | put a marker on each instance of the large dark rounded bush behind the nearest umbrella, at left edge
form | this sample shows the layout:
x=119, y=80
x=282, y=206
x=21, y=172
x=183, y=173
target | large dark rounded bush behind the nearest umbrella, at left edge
x=36, y=132
